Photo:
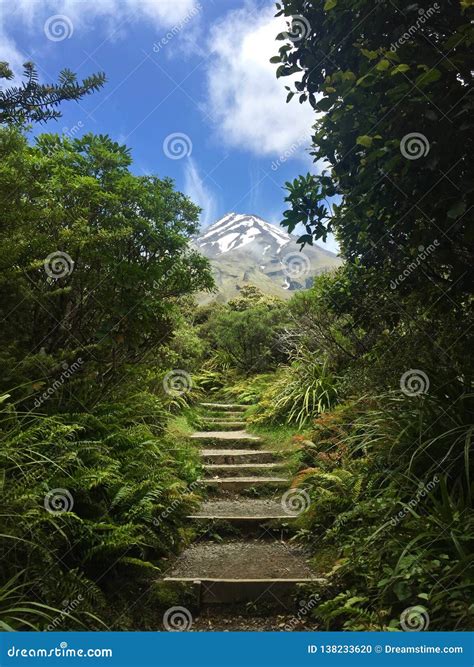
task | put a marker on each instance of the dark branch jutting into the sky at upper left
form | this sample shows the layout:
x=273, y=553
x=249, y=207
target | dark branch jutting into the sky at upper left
x=37, y=102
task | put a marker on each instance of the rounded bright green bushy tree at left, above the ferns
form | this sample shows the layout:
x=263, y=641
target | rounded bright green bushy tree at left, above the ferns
x=93, y=256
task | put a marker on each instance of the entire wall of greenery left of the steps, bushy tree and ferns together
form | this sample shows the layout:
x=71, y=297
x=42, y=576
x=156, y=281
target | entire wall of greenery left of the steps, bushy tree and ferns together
x=95, y=273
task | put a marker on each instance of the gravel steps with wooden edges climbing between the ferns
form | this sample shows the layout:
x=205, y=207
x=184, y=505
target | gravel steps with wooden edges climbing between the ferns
x=245, y=480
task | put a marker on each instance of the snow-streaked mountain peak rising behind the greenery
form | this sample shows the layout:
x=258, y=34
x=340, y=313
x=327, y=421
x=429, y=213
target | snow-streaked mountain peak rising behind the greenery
x=245, y=249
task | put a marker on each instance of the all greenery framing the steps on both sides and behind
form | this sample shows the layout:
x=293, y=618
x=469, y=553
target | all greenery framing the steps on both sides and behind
x=370, y=367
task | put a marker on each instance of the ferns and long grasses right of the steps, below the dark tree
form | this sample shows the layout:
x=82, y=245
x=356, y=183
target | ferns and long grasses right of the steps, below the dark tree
x=401, y=523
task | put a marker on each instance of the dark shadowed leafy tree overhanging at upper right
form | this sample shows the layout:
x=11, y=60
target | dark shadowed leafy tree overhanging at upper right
x=388, y=82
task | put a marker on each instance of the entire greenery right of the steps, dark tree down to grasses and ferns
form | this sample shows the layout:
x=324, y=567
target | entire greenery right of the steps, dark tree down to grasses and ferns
x=373, y=363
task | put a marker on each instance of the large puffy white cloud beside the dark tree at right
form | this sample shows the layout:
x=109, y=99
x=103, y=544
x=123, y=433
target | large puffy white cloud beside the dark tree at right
x=244, y=96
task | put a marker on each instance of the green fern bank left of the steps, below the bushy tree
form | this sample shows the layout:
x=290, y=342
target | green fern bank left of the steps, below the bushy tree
x=123, y=493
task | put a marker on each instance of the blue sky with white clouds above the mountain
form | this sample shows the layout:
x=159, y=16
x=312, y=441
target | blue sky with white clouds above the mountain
x=190, y=91
